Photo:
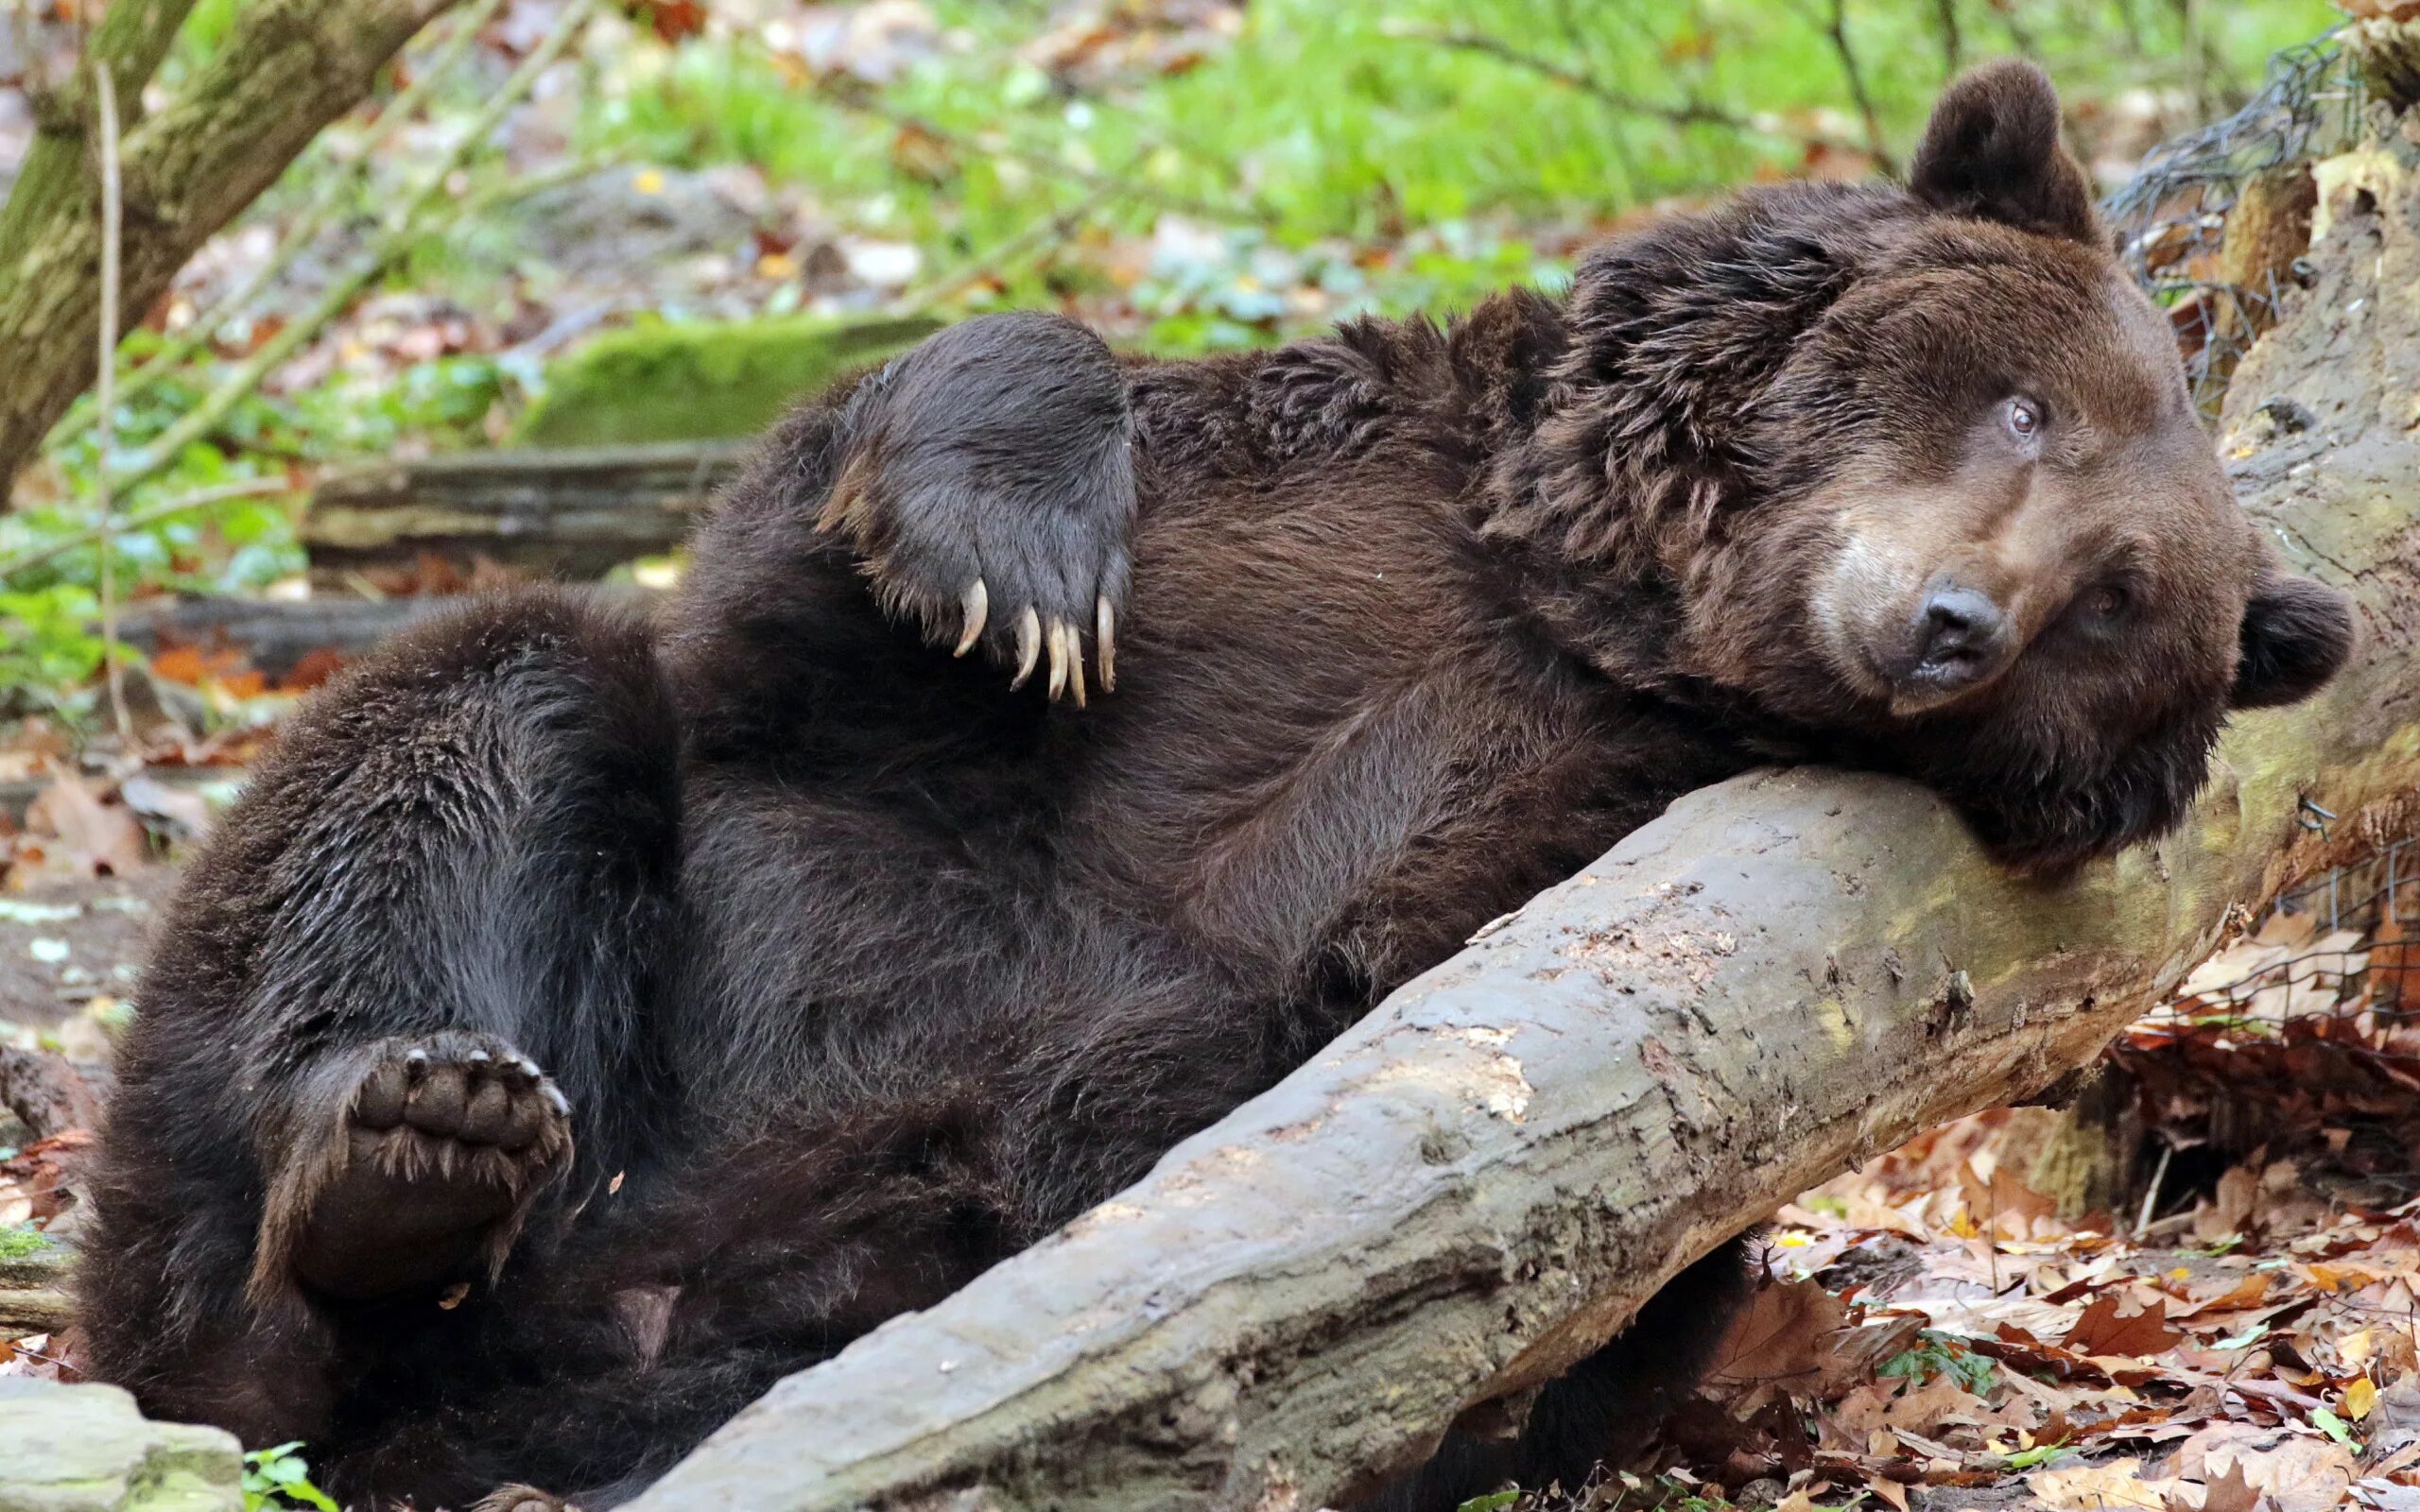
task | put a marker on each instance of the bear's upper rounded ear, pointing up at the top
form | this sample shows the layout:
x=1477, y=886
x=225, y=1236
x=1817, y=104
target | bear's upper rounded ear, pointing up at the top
x=1993, y=151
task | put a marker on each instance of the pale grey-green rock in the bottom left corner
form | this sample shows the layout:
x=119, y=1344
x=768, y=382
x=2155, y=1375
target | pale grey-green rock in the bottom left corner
x=88, y=1450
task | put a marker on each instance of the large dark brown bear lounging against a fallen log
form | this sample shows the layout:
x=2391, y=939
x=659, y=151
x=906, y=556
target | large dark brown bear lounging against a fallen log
x=582, y=1025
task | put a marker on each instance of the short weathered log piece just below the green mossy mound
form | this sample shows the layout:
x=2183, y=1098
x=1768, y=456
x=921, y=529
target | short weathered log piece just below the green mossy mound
x=553, y=514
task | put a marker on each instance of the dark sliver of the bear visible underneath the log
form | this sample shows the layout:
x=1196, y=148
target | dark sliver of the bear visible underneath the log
x=1606, y=1407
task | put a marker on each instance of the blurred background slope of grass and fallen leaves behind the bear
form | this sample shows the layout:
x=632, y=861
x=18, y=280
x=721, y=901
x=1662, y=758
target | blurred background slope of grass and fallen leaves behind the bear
x=1187, y=173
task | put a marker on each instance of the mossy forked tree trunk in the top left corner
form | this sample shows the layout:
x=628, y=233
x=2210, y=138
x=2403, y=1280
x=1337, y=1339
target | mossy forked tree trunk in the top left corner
x=289, y=69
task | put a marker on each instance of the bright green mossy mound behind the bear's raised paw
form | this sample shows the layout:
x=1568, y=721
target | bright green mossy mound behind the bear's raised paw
x=703, y=381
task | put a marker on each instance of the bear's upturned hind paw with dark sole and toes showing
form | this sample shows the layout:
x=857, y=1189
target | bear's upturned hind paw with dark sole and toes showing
x=430, y=1170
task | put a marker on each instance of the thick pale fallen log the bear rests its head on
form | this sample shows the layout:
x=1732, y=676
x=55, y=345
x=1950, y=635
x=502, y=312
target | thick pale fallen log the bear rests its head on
x=1782, y=976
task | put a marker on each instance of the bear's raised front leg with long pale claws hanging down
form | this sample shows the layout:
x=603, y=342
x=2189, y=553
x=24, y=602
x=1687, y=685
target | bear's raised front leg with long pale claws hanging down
x=979, y=492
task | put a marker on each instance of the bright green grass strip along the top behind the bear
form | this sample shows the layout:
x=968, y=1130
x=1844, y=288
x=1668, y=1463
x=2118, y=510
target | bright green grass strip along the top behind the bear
x=1354, y=122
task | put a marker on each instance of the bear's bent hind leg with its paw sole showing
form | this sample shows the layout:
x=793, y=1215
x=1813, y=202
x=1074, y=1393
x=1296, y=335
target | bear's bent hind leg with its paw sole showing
x=403, y=986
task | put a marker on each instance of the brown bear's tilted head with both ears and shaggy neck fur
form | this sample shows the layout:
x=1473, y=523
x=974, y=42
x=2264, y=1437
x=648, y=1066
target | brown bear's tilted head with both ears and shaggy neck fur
x=1937, y=492
